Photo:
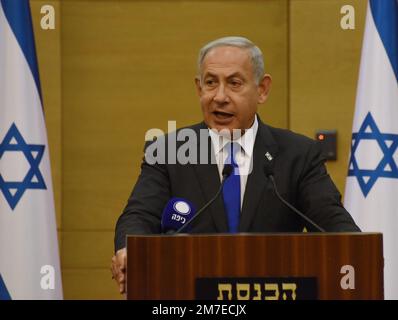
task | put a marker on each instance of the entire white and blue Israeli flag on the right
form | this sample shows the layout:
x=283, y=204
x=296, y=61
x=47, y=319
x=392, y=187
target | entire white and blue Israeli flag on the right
x=371, y=194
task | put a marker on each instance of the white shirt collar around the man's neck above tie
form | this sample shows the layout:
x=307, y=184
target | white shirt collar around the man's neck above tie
x=246, y=141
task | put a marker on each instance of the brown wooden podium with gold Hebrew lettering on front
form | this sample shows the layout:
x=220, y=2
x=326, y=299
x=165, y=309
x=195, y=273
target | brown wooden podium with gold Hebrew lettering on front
x=256, y=266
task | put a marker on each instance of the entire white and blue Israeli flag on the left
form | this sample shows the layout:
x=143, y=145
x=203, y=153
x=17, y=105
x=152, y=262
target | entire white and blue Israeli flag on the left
x=29, y=258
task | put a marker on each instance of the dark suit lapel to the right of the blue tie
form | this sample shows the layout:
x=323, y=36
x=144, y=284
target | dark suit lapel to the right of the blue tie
x=256, y=182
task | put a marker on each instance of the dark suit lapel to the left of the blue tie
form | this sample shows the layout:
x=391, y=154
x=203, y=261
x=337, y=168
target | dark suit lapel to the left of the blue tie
x=209, y=181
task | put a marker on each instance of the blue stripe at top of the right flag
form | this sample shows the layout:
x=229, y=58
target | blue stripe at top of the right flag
x=385, y=16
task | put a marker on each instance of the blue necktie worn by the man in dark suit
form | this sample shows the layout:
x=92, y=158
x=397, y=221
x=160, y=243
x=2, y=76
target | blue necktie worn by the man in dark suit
x=231, y=189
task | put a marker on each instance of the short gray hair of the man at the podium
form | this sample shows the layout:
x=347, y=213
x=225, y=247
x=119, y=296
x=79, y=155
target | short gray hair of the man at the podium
x=240, y=42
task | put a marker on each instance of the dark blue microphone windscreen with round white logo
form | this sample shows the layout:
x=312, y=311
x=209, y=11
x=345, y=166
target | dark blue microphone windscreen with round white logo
x=176, y=213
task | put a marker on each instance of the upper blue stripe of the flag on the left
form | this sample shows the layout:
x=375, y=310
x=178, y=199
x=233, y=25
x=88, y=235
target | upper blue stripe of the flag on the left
x=20, y=20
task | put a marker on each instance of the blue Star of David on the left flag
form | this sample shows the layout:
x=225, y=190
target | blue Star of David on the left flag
x=14, y=142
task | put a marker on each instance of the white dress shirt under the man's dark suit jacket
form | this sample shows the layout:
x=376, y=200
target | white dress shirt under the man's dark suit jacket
x=243, y=156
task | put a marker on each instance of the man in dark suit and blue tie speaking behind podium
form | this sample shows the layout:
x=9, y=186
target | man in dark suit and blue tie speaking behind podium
x=231, y=84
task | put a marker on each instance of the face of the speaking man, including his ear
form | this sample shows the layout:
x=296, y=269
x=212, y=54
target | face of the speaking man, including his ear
x=228, y=92
